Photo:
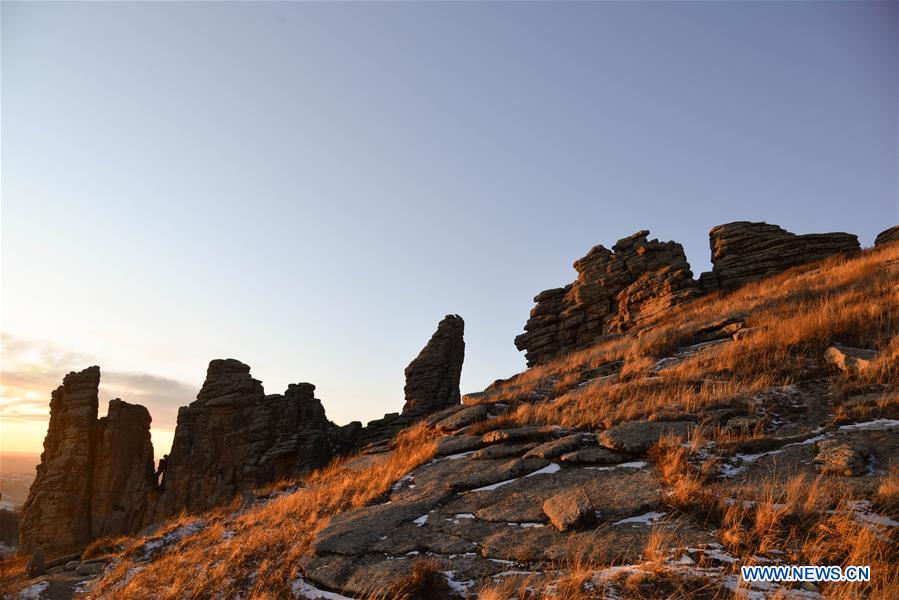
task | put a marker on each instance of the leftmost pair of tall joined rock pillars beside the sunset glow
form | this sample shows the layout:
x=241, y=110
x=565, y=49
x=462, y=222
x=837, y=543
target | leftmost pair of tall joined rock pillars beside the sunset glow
x=94, y=474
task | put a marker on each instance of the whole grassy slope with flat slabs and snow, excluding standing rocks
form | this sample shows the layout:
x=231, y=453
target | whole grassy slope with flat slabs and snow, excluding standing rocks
x=729, y=431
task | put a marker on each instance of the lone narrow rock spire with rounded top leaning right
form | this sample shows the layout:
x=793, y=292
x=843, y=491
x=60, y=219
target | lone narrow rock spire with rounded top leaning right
x=432, y=379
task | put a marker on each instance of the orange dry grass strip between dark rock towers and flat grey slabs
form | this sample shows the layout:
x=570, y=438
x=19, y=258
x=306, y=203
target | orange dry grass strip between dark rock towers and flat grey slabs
x=258, y=556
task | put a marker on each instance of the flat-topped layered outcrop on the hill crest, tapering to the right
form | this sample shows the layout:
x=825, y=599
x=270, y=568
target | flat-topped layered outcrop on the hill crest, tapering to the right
x=743, y=251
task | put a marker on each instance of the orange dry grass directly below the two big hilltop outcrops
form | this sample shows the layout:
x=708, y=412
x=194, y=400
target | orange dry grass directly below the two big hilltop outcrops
x=792, y=318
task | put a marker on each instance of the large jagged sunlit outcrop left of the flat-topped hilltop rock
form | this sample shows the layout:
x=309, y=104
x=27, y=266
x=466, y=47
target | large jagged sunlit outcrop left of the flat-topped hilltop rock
x=615, y=290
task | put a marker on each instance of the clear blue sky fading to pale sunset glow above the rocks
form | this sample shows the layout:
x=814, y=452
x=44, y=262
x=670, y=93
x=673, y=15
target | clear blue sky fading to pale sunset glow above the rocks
x=311, y=187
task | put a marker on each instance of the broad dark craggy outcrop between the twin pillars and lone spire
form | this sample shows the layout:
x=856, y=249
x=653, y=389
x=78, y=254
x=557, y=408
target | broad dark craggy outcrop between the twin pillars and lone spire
x=234, y=437
